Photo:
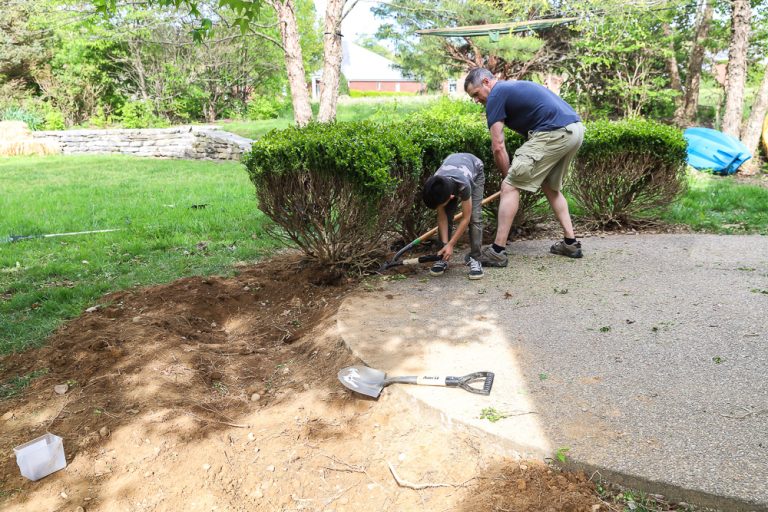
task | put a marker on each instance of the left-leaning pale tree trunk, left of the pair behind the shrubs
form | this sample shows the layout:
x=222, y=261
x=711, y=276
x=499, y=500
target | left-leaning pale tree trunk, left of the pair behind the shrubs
x=294, y=63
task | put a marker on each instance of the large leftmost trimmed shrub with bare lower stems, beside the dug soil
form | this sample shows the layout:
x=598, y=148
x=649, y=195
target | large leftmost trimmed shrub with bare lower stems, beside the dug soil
x=335, y=190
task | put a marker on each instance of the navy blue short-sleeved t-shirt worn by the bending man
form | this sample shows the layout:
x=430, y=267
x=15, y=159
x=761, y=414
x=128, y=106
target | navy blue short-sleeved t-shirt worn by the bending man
x=527, y=107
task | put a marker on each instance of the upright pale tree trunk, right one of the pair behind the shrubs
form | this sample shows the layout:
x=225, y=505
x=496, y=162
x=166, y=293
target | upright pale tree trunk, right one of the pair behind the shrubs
x=332, y=54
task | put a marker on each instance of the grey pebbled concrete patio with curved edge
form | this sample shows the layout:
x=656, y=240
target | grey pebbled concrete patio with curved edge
x=647, y=359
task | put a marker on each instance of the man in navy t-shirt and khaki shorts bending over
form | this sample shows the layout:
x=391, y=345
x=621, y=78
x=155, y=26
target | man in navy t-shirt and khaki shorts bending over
x=554, y=133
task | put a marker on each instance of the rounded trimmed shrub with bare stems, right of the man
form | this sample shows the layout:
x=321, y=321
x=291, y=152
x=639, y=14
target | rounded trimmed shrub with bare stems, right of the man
x=626, y=171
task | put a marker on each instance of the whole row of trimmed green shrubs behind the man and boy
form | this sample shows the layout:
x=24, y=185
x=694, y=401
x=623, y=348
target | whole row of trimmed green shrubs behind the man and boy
x=337, y=190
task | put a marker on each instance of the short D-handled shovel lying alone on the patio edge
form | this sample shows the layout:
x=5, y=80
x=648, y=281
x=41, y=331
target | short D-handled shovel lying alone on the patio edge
x=370, y=381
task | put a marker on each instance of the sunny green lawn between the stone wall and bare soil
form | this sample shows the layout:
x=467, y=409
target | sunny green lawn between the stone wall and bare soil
x=45, y=281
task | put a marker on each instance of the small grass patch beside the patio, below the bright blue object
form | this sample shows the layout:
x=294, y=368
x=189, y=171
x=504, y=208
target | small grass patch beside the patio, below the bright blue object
x=718, y=204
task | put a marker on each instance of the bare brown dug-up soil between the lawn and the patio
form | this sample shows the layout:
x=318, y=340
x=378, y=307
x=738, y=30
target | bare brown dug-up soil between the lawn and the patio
x=214, y=393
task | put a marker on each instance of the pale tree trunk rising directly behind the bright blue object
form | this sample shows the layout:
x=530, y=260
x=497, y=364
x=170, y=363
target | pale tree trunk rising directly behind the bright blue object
x=737, y=67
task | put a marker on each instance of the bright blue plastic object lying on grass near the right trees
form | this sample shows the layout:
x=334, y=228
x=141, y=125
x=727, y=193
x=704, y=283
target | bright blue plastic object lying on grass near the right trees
x=714, y=150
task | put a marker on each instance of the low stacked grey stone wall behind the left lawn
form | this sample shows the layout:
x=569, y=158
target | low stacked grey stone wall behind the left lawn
x=192, y=142
